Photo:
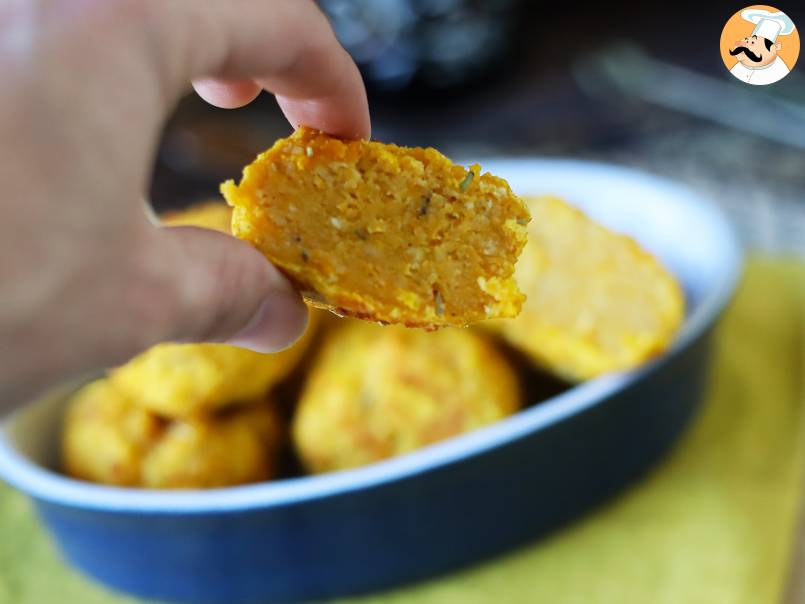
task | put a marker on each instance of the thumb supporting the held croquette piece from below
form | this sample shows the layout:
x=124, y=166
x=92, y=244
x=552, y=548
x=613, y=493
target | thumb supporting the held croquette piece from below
x=224, y=290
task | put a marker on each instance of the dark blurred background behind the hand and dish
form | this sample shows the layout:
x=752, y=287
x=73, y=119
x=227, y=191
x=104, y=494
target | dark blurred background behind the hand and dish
x=636, y=85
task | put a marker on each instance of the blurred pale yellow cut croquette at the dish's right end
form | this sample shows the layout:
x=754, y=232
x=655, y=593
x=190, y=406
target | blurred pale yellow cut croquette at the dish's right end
x=597, y=302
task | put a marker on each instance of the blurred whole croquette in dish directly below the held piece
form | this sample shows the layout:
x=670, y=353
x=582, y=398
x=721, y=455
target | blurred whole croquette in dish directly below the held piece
x=376, y=392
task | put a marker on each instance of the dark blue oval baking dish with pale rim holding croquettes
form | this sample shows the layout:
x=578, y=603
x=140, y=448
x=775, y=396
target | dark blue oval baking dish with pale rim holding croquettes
x=438, y=508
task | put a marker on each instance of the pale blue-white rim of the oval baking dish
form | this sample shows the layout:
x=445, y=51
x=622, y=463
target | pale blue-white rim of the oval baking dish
x=47, y=485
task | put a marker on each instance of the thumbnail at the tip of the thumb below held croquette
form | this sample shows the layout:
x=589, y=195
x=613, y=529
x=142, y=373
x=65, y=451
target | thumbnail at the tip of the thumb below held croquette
x=279, y=321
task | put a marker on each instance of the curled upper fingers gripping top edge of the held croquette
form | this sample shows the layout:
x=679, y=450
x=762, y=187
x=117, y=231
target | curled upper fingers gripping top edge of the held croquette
x=285, y=46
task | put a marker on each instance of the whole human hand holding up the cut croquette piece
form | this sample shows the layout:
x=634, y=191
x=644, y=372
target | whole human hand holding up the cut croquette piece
x=86, y=280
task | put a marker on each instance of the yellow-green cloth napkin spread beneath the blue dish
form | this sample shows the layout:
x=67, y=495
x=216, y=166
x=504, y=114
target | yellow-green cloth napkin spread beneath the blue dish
x=714, y=523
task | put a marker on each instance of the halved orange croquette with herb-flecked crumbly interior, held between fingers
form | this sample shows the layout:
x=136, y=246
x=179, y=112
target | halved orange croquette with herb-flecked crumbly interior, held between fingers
x=381, y=232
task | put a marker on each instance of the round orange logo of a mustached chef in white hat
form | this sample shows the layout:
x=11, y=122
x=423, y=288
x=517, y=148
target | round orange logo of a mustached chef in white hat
x=759, y=45
